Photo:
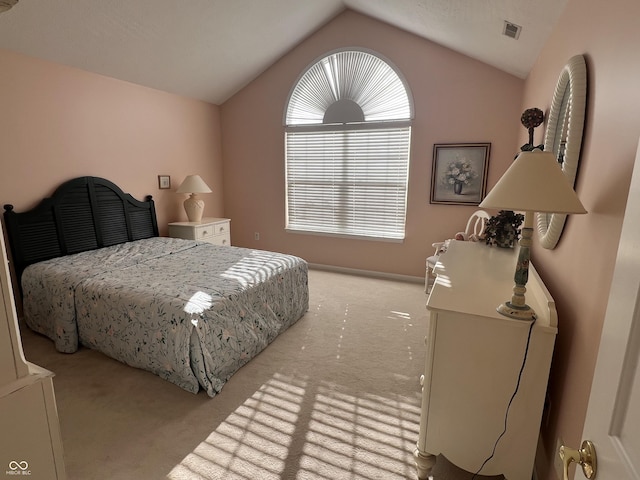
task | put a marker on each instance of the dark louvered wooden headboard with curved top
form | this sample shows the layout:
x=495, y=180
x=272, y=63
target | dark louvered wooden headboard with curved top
x=84, y=213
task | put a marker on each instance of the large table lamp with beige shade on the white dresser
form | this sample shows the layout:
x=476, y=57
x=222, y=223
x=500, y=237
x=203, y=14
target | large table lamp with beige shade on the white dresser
x=533, y=183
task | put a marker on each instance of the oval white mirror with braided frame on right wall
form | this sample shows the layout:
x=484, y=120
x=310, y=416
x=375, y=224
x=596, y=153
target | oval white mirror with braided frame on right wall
x=572, y=82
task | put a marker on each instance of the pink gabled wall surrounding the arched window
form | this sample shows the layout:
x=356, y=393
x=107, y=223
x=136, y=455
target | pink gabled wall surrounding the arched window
x=457, y=99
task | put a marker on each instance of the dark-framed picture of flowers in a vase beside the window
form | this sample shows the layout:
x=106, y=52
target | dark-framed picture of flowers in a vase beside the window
x=459, y=174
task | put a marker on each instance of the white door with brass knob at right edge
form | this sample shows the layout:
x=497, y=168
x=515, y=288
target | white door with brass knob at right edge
x=613, y=416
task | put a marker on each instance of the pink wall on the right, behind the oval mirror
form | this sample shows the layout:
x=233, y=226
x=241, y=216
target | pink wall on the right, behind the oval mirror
x=579, y=271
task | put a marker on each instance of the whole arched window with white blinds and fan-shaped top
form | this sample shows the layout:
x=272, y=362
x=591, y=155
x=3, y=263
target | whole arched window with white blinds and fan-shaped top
x=347, y=137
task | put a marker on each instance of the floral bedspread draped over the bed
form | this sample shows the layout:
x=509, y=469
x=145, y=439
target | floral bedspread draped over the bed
x=191, y=312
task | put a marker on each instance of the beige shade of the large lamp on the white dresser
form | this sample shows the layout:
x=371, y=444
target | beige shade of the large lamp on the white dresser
x=534, y=183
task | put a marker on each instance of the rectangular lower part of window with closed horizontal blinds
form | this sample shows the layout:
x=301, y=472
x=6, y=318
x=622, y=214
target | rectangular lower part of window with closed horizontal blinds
x=348, y=182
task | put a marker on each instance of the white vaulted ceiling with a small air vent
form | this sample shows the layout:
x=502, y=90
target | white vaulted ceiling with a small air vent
x=210, y=49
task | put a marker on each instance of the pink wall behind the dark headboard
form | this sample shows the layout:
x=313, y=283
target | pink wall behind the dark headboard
x=58, y=123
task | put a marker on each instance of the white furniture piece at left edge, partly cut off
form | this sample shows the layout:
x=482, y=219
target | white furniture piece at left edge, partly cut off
x=30, y=440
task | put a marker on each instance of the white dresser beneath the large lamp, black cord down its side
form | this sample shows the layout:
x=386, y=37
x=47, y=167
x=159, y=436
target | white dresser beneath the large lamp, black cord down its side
x=473, y=361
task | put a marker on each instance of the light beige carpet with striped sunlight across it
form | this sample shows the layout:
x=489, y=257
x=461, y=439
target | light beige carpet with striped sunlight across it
x=335, y=397
